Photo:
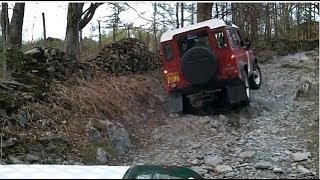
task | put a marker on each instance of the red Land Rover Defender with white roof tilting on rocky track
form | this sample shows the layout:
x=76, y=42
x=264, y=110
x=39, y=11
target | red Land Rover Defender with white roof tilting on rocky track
x=207, y=60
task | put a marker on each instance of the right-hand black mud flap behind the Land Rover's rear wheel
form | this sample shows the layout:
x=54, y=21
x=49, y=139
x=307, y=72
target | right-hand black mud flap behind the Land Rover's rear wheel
x=236, y=93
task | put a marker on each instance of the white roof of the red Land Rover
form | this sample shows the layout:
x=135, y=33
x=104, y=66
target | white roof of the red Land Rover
x=212, y=23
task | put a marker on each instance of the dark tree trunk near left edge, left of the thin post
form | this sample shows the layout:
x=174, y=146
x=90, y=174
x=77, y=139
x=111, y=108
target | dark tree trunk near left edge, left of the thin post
x=15, y=27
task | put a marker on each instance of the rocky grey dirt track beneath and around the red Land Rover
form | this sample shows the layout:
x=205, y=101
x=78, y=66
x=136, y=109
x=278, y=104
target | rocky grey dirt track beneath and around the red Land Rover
x=276, y=136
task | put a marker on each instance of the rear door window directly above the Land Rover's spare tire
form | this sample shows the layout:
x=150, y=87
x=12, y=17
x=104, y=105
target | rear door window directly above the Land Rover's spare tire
x=191, y=40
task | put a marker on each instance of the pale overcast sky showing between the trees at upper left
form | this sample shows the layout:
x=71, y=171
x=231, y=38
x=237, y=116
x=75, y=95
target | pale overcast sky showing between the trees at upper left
x=56, y=18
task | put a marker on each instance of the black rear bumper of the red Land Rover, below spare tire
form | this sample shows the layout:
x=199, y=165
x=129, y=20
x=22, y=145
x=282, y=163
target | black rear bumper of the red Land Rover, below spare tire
x=213, y=85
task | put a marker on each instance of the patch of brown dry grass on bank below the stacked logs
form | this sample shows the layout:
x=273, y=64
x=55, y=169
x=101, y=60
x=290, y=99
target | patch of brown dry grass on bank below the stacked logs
x=103, y=96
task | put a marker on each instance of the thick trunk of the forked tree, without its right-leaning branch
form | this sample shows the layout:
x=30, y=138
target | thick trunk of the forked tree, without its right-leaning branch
x=71, y=45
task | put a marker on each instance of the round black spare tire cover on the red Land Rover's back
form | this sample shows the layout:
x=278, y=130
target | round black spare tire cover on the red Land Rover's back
x=199, y=65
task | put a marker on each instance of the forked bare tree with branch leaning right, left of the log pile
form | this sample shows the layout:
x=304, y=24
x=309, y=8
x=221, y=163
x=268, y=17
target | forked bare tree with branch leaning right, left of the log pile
x=76, y=21
